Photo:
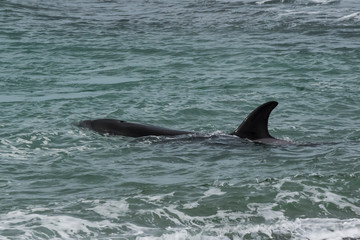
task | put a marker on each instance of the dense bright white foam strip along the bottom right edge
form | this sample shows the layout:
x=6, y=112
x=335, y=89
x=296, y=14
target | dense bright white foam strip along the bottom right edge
x=311, y=229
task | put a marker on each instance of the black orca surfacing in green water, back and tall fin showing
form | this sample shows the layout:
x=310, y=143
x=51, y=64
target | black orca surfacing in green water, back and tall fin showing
x=253, y=128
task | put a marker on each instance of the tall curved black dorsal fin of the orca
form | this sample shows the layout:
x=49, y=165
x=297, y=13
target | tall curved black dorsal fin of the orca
x=255, y=125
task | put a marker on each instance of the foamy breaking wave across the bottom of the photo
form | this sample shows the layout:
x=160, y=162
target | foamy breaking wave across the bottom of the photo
x=163, y=216
